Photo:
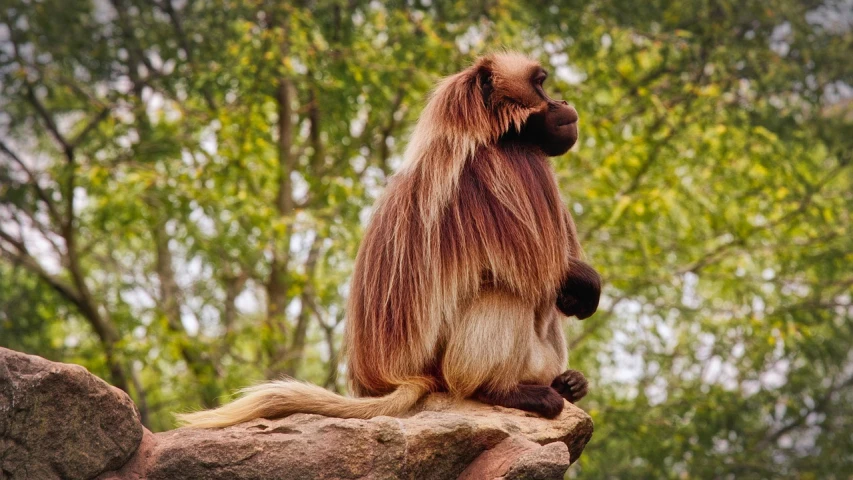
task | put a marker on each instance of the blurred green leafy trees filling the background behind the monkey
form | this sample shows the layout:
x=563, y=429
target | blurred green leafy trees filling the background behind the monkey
x=183, y=186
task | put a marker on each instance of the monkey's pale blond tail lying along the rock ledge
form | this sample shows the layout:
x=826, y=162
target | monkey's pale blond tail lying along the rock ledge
x=280, y=398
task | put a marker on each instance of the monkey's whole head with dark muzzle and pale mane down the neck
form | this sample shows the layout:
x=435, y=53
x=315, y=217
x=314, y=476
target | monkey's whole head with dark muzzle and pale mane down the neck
x=499, y=98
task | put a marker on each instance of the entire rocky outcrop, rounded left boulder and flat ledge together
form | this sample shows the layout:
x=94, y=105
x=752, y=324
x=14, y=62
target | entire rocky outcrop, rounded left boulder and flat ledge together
x=58, y=421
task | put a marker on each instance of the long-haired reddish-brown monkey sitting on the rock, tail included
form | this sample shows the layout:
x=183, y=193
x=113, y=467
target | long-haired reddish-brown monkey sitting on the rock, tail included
x=467, y=265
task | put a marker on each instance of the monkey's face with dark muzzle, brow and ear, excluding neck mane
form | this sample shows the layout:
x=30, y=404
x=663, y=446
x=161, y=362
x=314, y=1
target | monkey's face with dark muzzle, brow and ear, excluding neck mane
x=512, y=88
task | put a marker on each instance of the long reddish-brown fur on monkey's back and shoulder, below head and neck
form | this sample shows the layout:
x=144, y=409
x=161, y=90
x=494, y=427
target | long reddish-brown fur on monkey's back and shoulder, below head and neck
x=504, y=225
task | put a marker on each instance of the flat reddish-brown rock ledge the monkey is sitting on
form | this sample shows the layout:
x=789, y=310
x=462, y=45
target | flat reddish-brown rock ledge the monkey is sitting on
x=443, y=440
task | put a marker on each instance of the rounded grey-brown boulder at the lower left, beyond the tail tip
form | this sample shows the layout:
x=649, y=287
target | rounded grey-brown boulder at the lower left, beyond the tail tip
x=58, y=421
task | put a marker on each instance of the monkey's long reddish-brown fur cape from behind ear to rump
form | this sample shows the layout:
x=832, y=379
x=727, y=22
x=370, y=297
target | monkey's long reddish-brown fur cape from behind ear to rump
x=465, y=212
